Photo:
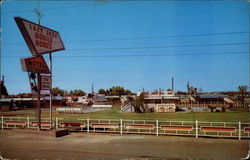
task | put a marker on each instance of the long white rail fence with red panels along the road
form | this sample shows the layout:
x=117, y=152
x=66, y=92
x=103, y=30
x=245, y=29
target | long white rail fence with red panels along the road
x=123, y=126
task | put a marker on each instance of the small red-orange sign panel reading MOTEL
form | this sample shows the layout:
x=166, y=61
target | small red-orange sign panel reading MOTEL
x=35, y=65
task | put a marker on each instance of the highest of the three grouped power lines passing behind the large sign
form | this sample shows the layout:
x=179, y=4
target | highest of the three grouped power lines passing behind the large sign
x=143, y=38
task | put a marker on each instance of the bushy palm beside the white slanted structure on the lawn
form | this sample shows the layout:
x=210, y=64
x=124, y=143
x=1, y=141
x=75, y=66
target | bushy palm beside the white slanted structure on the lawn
x=138, y=103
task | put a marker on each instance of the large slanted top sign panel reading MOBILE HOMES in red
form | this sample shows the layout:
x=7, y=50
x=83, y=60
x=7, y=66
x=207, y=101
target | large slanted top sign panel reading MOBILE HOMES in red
x=39, y=39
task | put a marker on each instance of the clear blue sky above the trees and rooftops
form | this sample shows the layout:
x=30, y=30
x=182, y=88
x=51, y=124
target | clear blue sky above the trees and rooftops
x=134, y=44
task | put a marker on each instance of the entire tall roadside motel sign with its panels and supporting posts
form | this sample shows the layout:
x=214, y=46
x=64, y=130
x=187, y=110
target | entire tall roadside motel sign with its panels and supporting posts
x=40, y=40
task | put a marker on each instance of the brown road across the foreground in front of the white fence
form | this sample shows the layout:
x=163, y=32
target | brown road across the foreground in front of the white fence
x=16, y=144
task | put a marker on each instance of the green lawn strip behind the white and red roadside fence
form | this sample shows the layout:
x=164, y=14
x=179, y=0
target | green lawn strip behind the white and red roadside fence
x=238, y=115
